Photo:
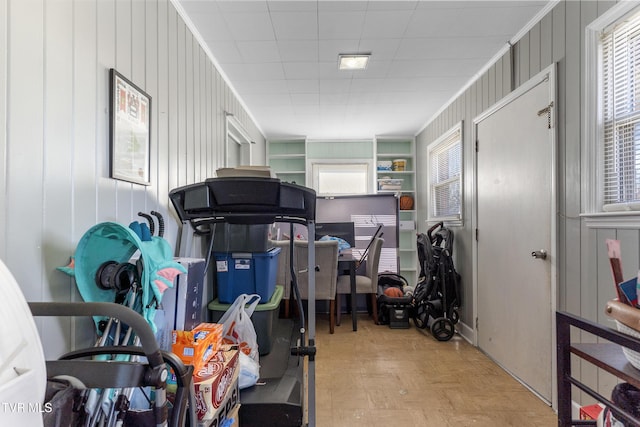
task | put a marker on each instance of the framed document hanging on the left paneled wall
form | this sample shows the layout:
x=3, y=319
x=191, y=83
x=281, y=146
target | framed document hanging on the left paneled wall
x=130, y=126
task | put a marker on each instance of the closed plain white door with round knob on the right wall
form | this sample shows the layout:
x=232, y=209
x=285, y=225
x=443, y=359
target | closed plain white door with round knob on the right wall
x=515, y=210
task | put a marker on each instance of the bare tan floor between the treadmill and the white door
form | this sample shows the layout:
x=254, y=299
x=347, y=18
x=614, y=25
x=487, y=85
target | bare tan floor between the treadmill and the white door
x=381, y=377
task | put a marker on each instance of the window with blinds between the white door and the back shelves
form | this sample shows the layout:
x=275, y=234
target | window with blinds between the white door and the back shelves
x=445, y=176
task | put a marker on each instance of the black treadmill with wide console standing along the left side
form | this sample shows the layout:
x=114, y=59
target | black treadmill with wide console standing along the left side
x=285, y=393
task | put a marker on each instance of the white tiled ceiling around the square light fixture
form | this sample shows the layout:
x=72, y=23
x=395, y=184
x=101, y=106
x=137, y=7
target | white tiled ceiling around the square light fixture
x=422, y=53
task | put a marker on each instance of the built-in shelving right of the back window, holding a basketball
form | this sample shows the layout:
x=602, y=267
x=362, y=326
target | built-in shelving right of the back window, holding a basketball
x=390, y=149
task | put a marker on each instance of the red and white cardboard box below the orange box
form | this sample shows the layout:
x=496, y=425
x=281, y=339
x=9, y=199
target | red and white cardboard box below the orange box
x=216, y=387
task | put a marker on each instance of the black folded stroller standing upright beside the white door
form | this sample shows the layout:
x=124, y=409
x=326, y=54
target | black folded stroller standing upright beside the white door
x=436, y=297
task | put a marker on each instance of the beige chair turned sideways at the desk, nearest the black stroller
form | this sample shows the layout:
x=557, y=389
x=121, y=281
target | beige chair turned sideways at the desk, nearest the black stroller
x=365, y=284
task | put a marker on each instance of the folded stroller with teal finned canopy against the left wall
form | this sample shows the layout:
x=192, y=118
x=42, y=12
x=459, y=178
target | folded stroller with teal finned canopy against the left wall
x=121, y=273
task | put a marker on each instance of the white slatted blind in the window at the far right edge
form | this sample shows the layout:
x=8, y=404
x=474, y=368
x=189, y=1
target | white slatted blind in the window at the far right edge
x=621, y=111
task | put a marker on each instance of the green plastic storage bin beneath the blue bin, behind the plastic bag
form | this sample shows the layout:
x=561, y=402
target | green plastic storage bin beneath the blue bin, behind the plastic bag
x=263, y=318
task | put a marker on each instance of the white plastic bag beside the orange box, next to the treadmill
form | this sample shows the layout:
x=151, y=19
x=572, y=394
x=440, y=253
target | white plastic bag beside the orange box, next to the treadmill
x=238, y=329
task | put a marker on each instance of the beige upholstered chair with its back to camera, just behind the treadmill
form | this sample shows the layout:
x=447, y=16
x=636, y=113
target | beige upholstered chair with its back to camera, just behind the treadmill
x=326, y=272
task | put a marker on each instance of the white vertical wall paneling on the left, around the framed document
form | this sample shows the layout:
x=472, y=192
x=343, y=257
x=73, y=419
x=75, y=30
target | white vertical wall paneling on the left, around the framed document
x=55, y=58
